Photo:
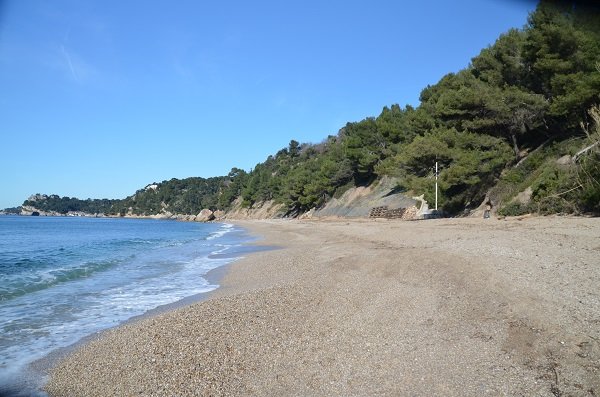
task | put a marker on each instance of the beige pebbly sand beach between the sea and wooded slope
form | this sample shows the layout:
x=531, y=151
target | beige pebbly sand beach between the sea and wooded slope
x=453, y=307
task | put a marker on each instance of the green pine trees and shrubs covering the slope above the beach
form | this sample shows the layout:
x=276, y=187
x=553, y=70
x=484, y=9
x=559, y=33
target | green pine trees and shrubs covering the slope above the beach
x=496, y=129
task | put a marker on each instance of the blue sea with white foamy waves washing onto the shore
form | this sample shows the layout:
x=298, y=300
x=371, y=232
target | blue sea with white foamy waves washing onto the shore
x=64, y=278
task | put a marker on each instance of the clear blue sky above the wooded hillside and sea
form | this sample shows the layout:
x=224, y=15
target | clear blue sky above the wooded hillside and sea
x=99, y=98
